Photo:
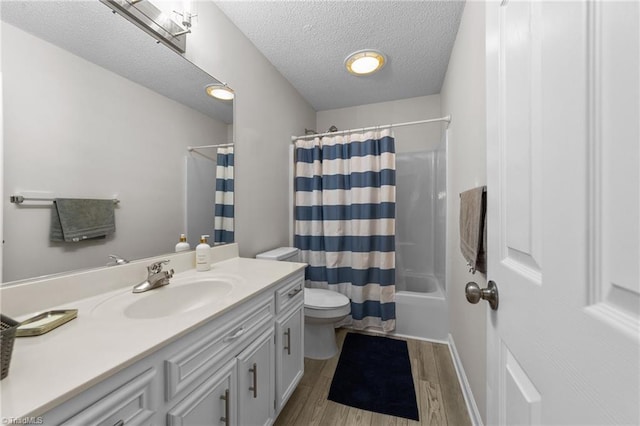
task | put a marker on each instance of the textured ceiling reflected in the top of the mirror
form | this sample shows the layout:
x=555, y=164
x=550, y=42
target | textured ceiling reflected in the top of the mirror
x=88, y=28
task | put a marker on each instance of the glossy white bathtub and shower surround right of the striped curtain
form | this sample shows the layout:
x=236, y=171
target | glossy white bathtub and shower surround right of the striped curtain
x=421, y=306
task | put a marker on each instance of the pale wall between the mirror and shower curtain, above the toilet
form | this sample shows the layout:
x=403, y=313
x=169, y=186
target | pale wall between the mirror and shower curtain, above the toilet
x=267, y=112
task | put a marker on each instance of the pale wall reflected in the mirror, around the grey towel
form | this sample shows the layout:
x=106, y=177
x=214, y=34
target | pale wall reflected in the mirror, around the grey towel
x=73, y=129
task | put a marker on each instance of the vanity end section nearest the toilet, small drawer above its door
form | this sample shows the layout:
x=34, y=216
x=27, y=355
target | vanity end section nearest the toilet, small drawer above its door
x=289, y=338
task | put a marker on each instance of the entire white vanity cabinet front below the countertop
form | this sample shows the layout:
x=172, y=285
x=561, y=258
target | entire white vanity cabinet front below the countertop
x=238, y=368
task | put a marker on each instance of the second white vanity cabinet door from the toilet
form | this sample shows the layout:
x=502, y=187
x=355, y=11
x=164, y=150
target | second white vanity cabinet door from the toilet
x=256, y=374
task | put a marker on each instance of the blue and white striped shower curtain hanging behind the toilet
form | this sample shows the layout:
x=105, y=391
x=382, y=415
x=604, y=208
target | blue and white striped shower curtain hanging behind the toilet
x=345, y=221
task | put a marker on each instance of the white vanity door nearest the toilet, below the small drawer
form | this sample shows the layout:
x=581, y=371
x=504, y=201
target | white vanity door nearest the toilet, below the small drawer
x=289, y=355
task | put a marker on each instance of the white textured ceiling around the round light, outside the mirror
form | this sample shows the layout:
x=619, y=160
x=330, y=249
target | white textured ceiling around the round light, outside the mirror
x=308, y=41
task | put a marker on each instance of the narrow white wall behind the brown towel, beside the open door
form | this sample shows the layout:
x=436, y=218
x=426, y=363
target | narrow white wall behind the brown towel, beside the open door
x=463, y=96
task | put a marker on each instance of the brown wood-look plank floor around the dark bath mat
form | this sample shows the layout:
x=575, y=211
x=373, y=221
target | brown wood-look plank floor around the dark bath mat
x=440, y=400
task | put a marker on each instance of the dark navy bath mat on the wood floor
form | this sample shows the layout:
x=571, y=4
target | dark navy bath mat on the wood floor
x=374, y=374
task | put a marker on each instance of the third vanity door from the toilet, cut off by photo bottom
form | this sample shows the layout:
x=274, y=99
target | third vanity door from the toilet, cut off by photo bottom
x=211, y=403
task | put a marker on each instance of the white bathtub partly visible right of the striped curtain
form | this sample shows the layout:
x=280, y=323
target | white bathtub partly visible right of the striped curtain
x=422, y=314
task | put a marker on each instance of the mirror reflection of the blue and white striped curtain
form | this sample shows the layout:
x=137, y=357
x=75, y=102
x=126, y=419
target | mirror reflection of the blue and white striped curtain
x=223, y=221
